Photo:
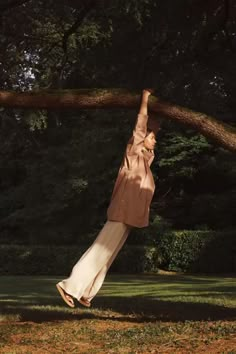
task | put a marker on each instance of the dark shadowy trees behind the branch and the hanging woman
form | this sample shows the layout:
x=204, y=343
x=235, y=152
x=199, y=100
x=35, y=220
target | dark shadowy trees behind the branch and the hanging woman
x=57, y=169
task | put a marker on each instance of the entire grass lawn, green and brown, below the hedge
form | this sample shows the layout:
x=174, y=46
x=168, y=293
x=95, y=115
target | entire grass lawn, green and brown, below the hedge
x=132, y=314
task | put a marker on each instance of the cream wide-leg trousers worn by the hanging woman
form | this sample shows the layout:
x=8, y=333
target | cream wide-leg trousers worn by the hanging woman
x=89, y=272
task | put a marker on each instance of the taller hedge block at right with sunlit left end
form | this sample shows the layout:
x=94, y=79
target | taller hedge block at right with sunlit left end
x=198, y=251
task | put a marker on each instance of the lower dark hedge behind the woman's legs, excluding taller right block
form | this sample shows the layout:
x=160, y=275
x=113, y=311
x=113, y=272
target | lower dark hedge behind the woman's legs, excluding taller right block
x=58, y=260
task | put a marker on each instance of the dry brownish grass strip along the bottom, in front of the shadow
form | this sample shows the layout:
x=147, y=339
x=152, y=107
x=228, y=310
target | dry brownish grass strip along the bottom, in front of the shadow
x=86, y=336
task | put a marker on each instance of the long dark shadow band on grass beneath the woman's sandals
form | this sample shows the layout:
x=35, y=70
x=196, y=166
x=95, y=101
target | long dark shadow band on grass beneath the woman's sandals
x=135, y=309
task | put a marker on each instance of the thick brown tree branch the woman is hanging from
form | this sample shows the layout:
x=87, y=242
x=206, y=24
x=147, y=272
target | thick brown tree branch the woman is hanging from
x=220, y=133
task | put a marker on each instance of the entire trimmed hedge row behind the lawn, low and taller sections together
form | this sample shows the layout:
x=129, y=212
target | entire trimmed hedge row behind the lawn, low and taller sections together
x=186, y=251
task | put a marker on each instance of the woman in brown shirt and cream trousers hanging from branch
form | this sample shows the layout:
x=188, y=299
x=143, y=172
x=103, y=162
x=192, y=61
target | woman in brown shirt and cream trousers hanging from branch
x=129, y=207
